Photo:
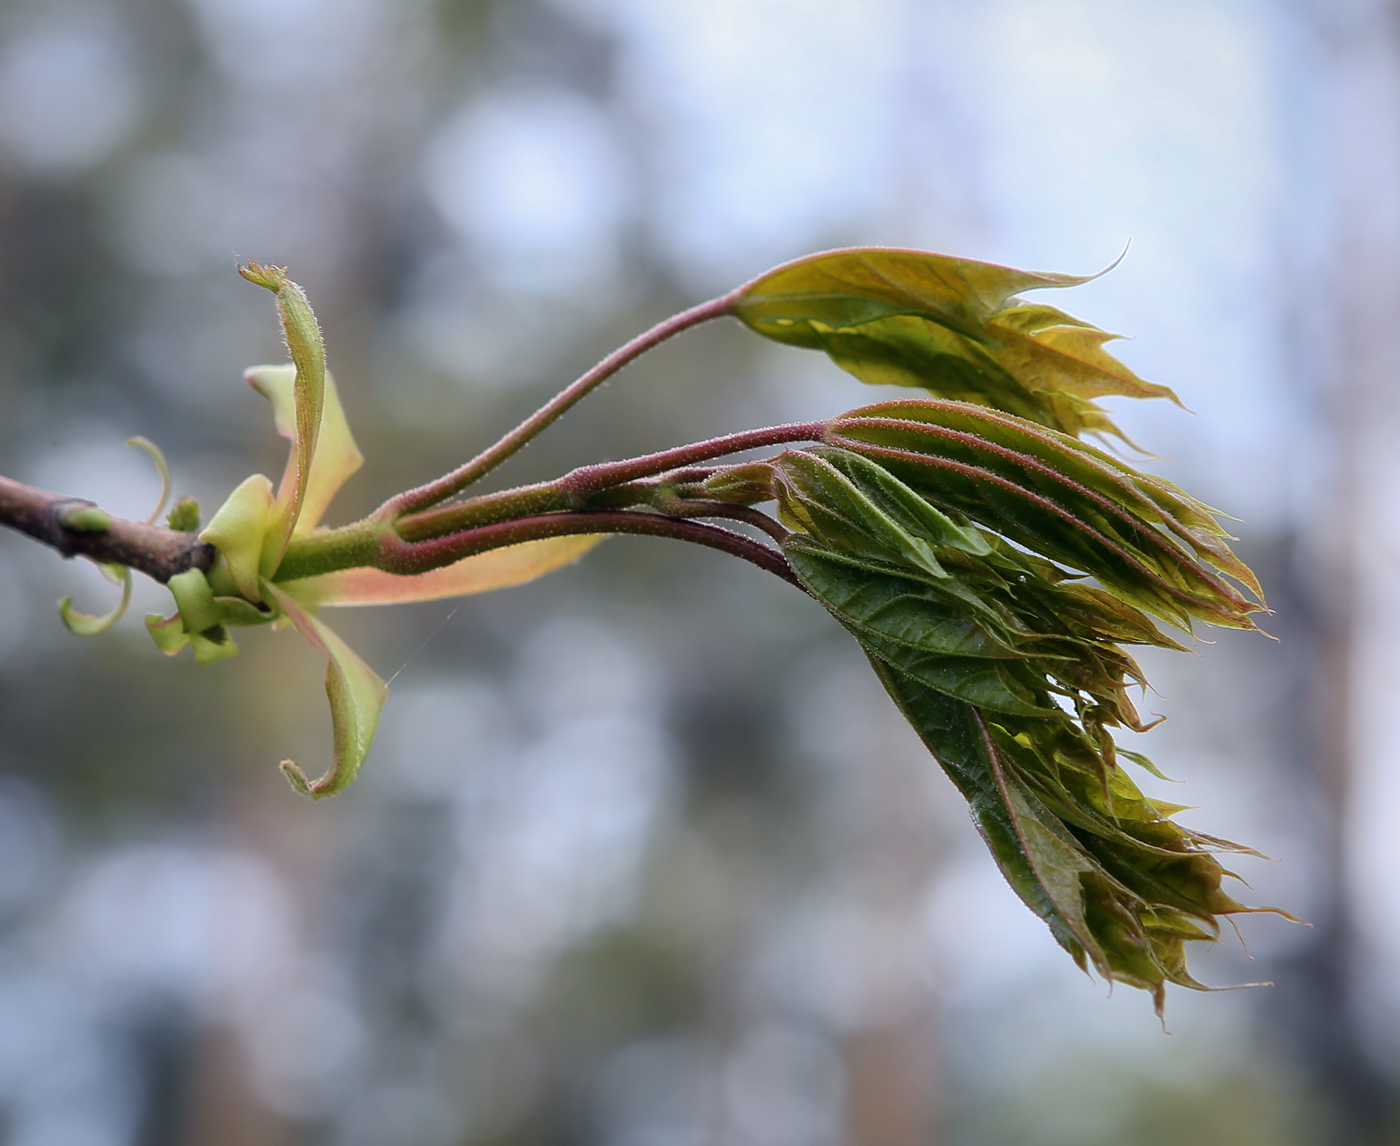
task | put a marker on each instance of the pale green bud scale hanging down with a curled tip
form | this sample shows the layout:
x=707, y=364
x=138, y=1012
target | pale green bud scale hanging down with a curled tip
x=356, y=696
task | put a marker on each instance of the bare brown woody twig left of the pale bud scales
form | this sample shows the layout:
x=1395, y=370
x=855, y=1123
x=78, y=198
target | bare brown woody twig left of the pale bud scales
x=156, y=552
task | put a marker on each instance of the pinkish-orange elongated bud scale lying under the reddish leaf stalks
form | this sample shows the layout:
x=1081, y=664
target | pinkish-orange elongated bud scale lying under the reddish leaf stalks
x=499, y=569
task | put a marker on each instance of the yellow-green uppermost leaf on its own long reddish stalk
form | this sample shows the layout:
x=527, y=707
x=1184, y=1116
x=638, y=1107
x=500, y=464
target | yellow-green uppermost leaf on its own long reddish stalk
x=953, y=327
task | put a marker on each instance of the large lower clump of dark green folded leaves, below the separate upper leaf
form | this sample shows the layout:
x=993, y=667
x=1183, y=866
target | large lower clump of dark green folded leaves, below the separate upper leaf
x=951, y=542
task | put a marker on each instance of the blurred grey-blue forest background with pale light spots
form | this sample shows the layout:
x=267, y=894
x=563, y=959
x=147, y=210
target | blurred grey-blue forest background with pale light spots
x=643, y=856
